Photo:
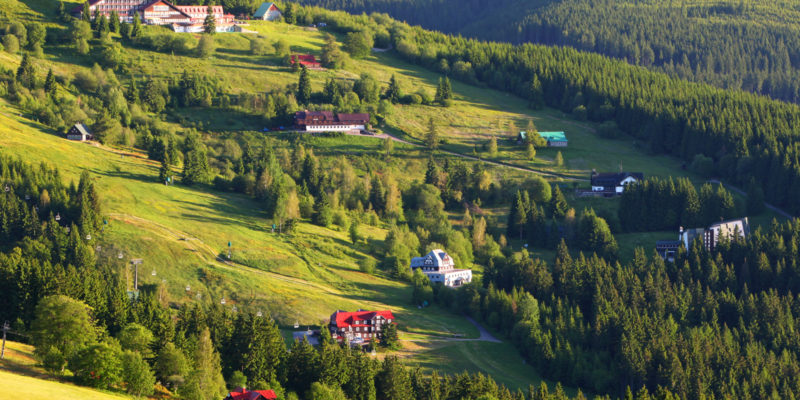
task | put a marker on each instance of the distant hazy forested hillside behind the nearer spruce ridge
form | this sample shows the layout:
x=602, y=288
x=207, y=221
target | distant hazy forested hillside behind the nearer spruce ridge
x=730, y=44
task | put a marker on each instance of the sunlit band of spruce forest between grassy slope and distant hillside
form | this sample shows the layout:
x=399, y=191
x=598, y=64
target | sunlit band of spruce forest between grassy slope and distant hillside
x=747, y=137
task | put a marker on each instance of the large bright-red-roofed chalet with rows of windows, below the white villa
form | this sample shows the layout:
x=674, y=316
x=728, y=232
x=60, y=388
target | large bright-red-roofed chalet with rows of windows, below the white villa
x=360, y=325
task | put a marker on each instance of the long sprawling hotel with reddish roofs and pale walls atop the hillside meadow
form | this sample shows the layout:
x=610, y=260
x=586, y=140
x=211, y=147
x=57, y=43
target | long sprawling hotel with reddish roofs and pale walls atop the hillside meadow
x=188, y=18
